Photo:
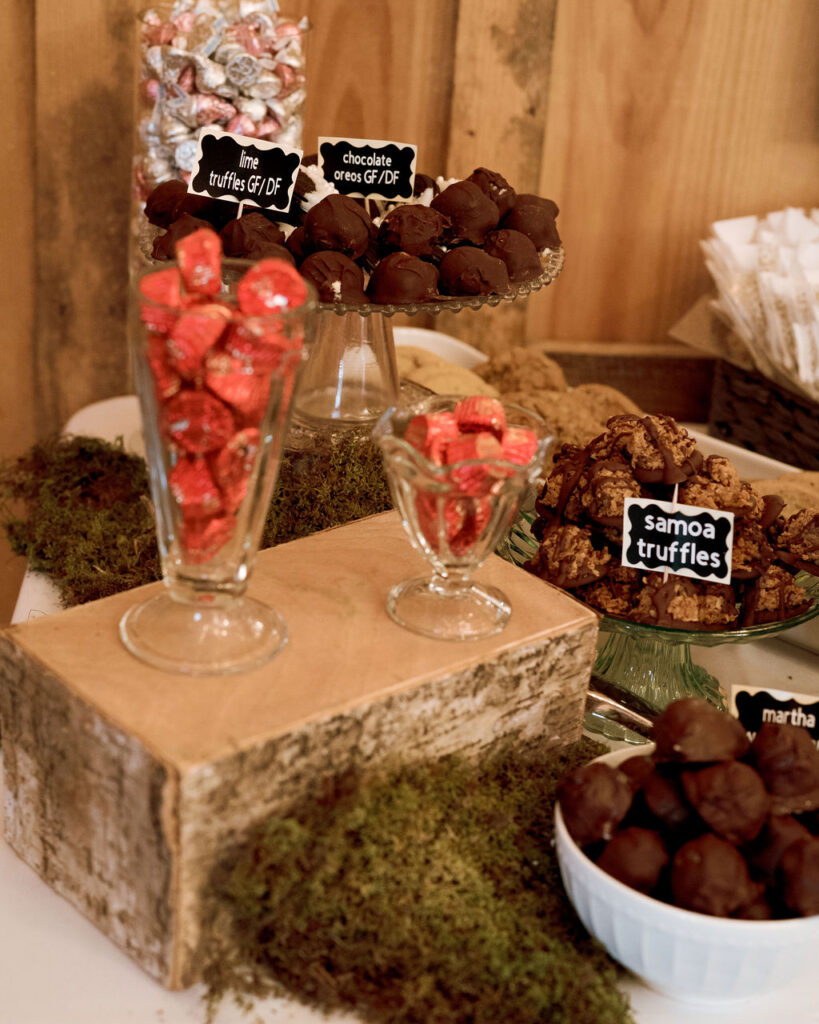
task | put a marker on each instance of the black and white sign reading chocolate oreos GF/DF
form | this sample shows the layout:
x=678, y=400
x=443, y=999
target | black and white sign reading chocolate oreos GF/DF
x=367, y=168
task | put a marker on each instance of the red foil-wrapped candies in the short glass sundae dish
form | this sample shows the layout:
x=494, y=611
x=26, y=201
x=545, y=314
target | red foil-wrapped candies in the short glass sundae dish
x=471, y=453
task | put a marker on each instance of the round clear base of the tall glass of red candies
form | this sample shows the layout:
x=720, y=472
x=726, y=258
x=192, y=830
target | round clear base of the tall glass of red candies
x=200, y=638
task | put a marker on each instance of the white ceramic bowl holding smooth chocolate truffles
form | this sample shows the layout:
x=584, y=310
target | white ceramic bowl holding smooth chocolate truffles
x=685, y=956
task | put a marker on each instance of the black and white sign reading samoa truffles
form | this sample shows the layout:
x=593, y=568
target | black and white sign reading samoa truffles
x=685, y=540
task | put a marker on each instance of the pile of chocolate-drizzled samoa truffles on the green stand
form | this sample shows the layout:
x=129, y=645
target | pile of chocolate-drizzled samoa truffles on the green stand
x=580, y=530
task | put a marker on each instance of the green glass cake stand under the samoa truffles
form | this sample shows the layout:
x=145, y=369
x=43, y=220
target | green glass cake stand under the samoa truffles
x=651, y=666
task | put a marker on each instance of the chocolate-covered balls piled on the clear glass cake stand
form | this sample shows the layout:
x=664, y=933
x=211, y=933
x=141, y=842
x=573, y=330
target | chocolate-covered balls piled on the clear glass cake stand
x=455, y=238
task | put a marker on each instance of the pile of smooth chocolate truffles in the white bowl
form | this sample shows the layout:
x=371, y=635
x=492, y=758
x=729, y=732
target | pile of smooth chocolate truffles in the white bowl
x=712, y=822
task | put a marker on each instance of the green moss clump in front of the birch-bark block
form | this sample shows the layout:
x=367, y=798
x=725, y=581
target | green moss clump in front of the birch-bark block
x=429, y=895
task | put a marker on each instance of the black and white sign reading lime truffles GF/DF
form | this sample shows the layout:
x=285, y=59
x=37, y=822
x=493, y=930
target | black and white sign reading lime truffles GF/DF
x=244, y=170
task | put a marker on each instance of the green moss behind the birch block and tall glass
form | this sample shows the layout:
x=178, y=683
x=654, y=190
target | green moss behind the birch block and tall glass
x=79, y=508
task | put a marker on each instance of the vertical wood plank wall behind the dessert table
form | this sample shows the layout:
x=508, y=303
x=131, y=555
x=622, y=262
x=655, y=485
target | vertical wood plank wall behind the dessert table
x=645, y=120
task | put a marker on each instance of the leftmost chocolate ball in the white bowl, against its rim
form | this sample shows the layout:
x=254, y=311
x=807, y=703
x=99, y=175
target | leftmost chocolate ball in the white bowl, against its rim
x=594, y=799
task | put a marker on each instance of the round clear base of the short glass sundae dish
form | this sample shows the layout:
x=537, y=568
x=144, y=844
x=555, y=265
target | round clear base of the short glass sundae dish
x=434, y=609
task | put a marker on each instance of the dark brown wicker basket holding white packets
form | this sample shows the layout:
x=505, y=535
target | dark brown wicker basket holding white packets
x=749, y=410
